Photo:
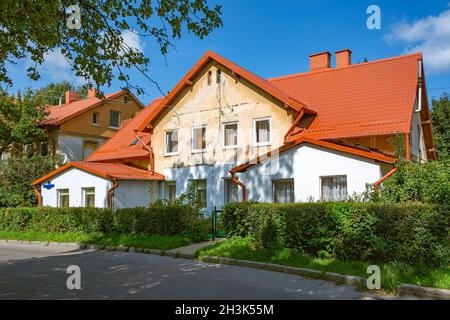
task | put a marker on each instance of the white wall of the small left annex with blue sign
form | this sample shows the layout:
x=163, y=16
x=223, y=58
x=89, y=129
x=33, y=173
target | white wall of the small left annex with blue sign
x=74, y=180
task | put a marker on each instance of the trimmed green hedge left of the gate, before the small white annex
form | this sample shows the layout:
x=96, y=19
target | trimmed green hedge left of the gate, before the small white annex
x=159, y=218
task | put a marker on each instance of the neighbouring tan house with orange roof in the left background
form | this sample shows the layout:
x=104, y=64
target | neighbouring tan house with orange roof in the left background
x=79, y=126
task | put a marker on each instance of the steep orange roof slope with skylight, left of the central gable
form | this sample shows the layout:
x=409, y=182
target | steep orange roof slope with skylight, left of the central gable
x=119, y=145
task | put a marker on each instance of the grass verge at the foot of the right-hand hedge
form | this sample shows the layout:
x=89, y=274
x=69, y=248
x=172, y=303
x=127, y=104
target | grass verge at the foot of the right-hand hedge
x=392, y=274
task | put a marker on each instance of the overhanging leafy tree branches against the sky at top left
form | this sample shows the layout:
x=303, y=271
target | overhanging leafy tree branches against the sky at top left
x=33, y=28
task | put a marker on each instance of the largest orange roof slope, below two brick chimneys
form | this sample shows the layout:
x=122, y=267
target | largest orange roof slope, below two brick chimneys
x=372, y=98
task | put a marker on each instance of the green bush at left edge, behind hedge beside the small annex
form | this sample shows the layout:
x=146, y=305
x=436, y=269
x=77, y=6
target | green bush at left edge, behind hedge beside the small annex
x=16, y=176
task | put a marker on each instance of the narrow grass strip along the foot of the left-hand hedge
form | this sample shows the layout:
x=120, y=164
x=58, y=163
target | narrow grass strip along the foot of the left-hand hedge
x=141, y=241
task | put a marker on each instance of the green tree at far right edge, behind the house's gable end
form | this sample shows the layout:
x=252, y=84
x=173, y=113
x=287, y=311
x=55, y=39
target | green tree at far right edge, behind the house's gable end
x=440, y=116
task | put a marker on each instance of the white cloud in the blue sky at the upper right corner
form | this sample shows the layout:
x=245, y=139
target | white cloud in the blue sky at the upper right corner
x=429, y=35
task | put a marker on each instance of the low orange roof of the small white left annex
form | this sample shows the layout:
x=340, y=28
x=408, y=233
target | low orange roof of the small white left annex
x=106, y=170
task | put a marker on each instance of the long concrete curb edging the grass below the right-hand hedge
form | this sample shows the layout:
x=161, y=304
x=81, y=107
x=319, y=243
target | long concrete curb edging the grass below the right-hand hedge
x=351, y=280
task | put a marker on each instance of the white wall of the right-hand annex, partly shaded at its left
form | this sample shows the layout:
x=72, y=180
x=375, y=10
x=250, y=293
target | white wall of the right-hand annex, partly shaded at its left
x=306, y=164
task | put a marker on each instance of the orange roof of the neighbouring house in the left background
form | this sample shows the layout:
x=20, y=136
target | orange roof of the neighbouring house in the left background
x=59, y=114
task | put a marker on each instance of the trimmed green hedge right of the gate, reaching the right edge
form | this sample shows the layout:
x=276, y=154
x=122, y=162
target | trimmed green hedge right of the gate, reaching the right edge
x=411, y=233
